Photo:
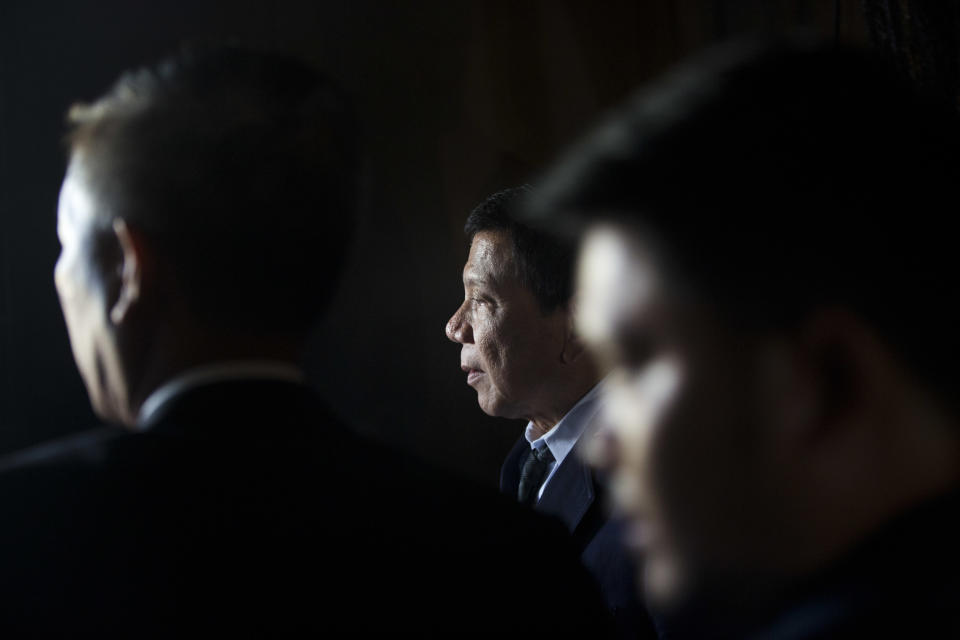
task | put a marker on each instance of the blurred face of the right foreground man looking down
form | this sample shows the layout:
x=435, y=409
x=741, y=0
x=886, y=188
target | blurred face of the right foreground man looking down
x=681, y=441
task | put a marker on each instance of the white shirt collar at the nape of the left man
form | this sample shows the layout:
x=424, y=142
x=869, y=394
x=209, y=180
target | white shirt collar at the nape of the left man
x=211, y=373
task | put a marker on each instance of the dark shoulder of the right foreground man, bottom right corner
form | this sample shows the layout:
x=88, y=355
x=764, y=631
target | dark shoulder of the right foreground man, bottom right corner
x=903, y=580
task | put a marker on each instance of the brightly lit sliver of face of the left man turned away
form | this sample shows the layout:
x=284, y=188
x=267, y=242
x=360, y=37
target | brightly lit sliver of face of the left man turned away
x=83, y=284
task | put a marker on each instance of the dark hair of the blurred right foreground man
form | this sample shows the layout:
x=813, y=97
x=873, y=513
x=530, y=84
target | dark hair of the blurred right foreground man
x=781, y=179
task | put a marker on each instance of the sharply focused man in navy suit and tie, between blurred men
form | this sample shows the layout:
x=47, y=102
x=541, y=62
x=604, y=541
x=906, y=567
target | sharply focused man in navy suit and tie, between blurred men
x=520, y=353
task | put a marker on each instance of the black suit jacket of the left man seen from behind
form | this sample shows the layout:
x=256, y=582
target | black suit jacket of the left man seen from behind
x=249, y=510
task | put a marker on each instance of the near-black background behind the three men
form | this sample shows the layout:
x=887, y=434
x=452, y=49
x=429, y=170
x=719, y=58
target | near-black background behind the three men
x=458, y=99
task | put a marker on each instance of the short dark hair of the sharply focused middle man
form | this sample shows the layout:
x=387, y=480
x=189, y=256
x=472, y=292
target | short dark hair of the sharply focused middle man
x=544, y=263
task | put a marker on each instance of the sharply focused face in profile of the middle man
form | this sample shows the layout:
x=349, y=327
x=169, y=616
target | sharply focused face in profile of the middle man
x=509, y=346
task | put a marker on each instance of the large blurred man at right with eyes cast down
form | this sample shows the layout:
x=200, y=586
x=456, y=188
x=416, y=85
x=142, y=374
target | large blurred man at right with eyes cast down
x=767, y=264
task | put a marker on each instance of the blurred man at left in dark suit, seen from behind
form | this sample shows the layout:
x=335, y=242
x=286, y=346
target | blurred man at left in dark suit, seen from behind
x=203, y=220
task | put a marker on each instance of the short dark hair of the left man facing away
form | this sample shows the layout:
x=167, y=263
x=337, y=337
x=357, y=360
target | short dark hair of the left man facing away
x=240, y=167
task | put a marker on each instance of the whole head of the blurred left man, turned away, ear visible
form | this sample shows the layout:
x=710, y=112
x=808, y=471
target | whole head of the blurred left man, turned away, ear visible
x=205, y=214
